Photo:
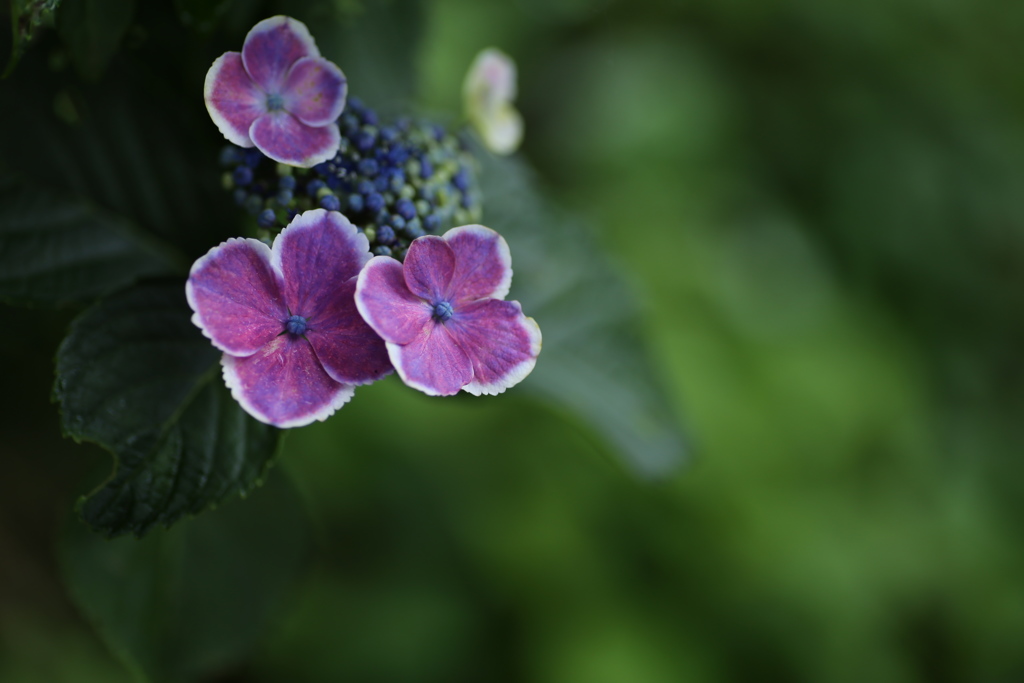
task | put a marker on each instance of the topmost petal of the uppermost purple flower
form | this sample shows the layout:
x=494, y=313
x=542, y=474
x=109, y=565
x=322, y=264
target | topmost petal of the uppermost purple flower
x=273, y=47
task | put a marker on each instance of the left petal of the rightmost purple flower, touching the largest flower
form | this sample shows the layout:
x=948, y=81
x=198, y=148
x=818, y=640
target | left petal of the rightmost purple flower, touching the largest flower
x=387, y=305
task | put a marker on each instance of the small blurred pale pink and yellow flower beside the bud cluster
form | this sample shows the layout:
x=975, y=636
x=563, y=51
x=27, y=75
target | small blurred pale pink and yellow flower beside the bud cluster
x=488, y=94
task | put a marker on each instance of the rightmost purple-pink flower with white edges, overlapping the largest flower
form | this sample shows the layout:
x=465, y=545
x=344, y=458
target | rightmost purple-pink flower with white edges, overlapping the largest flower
x=444, y=316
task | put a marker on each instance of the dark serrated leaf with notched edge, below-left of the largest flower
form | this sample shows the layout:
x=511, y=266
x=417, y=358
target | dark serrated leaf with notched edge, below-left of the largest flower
x=136, y=376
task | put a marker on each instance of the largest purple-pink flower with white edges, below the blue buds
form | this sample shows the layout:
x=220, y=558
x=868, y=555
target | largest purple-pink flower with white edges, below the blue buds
x=285, y=318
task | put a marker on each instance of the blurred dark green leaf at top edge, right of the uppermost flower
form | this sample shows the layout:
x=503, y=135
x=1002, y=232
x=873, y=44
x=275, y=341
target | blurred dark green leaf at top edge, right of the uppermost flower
x=375, y=44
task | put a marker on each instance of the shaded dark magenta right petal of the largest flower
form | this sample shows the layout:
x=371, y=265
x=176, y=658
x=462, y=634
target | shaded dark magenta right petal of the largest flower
x=350, y=351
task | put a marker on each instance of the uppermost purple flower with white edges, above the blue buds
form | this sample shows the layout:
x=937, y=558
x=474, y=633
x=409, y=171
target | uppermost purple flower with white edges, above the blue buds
x=279, y=95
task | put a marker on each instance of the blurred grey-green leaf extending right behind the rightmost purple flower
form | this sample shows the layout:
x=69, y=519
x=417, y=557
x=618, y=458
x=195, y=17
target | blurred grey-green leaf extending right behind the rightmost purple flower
x=594, y=362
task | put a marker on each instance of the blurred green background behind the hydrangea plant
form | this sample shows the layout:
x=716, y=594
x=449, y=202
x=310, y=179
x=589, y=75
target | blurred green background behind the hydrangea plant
x=821, y=205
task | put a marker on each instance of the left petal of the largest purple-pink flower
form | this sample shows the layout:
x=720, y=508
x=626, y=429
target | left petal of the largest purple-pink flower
x=237, y=296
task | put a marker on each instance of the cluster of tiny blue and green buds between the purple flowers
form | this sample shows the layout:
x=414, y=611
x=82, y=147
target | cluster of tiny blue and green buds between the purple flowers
x=395, y=183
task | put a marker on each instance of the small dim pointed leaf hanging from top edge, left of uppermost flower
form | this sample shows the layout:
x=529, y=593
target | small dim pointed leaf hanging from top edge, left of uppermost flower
x=93, y=31
